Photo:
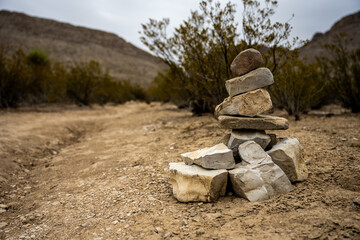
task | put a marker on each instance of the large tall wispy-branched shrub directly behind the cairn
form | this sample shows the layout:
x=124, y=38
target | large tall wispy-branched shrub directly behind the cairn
x=200, y=51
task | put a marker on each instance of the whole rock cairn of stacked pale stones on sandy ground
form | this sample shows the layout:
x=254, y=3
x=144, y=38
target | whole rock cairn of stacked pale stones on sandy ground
x=258, y=165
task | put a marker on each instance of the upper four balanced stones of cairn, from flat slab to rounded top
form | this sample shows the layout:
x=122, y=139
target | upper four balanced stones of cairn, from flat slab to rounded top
x=247, y=97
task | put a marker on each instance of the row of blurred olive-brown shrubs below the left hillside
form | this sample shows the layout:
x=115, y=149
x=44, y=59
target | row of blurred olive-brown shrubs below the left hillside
x=32, y=78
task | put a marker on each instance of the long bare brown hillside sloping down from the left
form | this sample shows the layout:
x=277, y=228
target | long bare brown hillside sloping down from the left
x=67, y=43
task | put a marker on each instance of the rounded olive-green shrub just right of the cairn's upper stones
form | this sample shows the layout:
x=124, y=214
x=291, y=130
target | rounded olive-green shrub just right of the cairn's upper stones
x=298, y=86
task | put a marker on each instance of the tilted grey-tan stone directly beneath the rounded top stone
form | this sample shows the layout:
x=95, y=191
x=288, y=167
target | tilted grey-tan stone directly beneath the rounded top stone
x=258, y=78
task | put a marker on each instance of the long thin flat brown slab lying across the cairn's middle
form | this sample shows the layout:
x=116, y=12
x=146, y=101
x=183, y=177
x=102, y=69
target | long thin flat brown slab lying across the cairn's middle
x=260, y=122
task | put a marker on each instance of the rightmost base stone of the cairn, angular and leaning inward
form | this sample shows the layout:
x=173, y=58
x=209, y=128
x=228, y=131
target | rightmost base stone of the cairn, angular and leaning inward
x=288, y=155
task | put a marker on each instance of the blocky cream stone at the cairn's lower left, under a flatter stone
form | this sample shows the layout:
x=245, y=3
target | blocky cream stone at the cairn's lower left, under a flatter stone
x=193, y=183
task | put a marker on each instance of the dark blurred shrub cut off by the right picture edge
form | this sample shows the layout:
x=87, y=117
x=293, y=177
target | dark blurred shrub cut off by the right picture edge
x=342, y=70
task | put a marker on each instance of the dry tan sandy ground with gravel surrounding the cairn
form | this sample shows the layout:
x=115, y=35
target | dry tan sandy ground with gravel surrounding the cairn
x=102, y=173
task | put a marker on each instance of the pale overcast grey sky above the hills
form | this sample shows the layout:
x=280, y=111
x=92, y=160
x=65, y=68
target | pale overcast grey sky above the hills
x=124, y=17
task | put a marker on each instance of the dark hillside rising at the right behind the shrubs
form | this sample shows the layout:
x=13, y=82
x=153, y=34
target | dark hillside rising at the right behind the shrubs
x=350, y=25
